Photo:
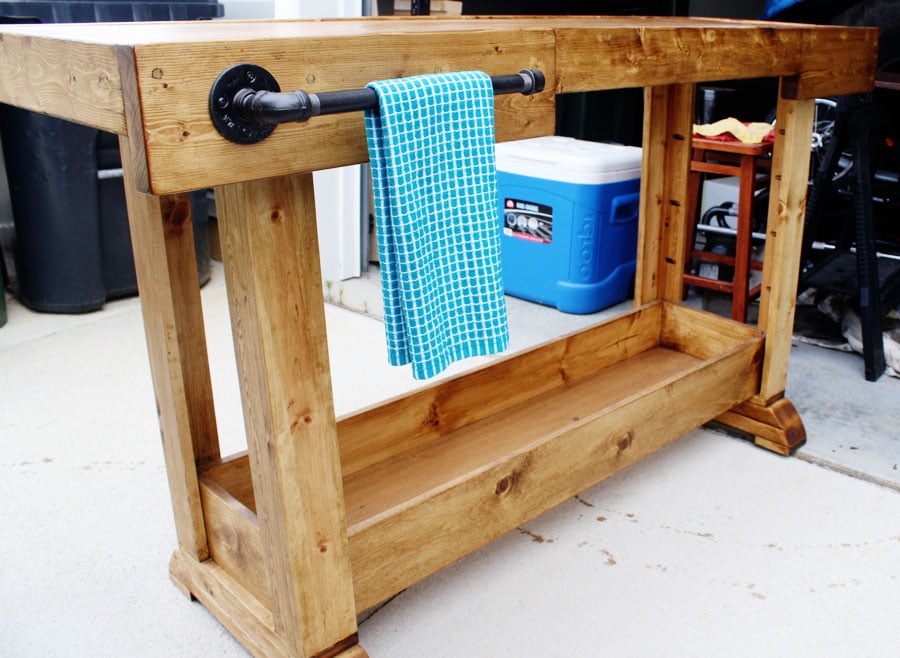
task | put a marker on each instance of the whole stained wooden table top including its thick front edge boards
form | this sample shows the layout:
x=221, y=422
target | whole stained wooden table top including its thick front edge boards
x=152, y=81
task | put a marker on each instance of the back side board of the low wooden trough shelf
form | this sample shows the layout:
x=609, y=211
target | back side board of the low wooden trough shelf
x=435, y=411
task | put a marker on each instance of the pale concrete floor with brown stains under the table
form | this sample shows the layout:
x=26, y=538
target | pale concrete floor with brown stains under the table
x=711, y=547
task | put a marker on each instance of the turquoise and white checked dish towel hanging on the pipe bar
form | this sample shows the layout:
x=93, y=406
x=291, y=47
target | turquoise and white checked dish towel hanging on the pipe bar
x=431, y=147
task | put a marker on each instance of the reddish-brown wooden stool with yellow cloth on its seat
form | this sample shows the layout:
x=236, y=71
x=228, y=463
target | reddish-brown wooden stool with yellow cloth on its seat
x=731, y=159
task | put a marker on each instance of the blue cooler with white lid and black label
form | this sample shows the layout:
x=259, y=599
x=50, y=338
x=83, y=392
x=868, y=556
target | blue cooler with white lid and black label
x=569, y=211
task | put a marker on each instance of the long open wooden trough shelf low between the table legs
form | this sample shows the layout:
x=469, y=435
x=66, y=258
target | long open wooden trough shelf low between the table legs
x=435, y=475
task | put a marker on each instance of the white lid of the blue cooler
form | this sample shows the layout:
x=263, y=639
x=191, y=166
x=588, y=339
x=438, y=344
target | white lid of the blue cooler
x=569, y=160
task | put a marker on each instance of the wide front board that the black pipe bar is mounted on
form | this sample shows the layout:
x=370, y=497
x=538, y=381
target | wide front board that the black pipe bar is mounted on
x=185, y=151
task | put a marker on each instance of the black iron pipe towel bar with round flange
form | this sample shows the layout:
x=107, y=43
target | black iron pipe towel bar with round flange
x=246, y=102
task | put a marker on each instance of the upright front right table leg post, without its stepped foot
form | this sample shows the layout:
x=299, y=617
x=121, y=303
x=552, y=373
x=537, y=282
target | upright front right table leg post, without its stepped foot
x=784, y=236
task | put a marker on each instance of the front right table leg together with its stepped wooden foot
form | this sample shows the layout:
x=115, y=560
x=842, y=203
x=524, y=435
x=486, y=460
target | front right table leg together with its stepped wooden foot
x=769, y=416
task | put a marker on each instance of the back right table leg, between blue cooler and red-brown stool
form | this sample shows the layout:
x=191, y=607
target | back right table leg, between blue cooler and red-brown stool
x=662, y=232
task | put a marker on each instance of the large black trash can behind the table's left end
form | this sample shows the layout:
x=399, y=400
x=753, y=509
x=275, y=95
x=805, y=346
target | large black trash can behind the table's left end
x=72, y=248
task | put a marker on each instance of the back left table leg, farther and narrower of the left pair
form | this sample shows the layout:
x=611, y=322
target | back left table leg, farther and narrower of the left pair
x=166, y=266
